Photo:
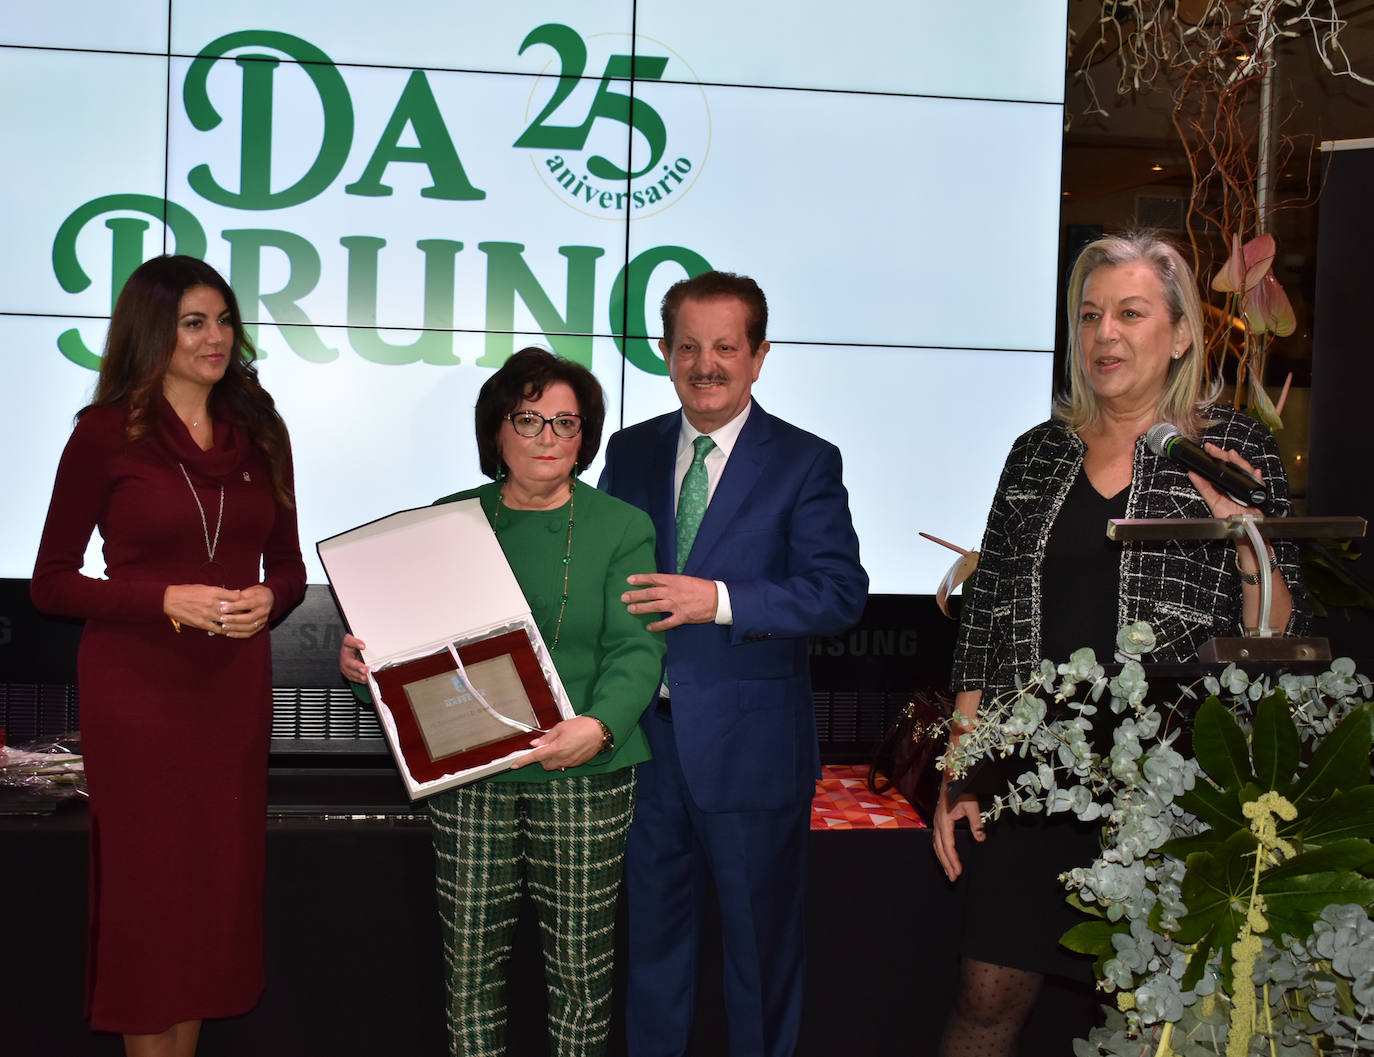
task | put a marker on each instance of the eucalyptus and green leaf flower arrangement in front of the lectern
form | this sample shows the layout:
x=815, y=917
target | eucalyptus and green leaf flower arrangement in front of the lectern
x=1229, y=911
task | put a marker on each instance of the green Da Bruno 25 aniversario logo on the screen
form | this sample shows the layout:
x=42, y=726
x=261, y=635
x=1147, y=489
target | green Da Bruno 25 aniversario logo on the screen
x=578, y=163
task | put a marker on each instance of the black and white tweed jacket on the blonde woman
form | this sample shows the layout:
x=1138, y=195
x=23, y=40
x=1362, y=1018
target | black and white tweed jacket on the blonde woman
x=1188, y=590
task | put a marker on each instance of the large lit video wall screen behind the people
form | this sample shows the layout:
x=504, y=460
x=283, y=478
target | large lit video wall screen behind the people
x=402, y=196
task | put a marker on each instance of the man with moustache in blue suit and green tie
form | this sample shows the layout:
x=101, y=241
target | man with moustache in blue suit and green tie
x=756, y=555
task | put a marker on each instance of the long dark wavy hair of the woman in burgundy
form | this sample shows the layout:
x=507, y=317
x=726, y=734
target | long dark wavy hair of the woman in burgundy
x=139, y=347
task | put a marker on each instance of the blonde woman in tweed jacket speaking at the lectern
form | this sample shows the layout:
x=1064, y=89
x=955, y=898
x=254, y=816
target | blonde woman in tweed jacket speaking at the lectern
x=1048, y=582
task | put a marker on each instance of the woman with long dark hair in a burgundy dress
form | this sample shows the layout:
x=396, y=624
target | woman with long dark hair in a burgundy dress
x=185, y=467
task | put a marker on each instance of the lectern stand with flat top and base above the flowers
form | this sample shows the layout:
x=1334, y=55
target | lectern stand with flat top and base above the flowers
x=1259, y=644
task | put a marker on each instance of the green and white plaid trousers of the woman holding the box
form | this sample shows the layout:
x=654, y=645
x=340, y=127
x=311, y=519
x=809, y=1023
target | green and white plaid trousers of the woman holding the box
x=565, y=842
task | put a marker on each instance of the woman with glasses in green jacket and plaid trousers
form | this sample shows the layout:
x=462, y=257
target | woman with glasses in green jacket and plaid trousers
x=557, y=825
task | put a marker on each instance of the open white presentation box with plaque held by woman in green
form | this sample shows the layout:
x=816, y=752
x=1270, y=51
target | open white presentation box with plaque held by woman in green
x=432, y=596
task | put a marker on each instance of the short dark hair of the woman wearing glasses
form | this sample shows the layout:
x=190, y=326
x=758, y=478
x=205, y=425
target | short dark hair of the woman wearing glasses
x=526, y=377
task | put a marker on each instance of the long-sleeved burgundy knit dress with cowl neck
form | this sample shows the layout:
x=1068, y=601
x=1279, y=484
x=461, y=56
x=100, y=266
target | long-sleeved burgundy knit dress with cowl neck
x=174, y=725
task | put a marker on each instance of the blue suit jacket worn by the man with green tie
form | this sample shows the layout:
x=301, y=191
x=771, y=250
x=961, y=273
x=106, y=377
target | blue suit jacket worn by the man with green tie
x=780, y=535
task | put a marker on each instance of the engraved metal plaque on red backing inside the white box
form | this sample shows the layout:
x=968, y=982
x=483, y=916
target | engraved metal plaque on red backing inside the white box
x=443, y=728
